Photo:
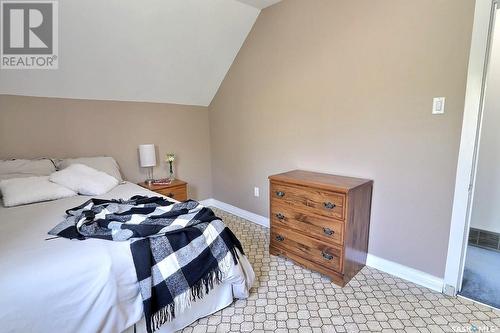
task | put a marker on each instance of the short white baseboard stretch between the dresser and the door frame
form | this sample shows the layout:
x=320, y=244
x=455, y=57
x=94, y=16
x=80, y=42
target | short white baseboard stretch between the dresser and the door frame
x=404, y=272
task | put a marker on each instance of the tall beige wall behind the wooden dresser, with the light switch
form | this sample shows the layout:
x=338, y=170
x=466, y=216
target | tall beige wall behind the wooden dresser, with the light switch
x=346, y=87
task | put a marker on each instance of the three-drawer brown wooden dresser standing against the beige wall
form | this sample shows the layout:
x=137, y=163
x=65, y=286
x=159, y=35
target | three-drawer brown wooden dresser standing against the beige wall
x=321, y=221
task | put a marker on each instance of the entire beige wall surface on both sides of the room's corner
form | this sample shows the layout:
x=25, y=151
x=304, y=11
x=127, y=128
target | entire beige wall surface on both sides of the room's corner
x=337, y=86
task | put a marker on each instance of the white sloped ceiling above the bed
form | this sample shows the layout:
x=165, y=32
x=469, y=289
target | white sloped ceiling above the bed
x=170, y=51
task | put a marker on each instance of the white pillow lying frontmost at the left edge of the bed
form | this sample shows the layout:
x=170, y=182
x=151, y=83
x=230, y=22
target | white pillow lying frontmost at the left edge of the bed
x=21, y=191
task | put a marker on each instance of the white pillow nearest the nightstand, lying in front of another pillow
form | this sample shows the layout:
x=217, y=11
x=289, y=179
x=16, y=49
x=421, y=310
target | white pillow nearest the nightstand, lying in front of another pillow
x=84, y=180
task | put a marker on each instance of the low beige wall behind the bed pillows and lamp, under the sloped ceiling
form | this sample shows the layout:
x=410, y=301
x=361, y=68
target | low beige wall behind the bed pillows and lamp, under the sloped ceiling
x=33, y=127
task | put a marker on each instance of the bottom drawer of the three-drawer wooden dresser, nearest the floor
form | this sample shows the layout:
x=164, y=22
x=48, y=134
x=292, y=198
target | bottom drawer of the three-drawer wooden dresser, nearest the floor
x=324, y=254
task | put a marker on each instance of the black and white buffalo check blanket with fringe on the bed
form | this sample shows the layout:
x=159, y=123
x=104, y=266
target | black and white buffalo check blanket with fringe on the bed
x=180, y=250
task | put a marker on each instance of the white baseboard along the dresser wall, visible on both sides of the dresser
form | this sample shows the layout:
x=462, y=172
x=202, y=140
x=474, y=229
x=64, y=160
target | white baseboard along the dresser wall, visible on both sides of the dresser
x=387, y=266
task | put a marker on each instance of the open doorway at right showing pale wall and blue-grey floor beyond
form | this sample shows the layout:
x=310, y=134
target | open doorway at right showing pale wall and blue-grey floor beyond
x=481, y=274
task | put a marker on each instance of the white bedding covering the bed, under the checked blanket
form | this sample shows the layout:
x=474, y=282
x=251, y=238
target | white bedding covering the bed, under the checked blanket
x=62, y=286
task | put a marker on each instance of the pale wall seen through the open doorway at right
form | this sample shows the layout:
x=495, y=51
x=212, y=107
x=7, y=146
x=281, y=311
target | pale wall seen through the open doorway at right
x=486, y=211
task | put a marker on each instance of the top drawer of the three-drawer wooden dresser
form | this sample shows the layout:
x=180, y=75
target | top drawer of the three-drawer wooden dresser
x=329, y=204
